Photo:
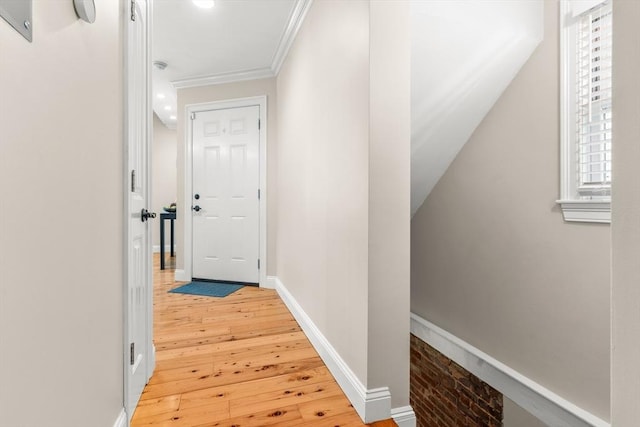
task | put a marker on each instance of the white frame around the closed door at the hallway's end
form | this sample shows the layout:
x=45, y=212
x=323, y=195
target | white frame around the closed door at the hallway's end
x=260, y=101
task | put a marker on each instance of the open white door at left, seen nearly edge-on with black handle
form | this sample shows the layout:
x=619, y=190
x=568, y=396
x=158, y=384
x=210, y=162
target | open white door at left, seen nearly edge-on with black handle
x=138, y=363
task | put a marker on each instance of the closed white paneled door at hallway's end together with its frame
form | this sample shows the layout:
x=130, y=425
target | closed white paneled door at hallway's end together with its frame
x=248, y=197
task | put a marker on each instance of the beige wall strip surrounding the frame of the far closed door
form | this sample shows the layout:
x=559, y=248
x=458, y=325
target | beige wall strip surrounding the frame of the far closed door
x=221, y=92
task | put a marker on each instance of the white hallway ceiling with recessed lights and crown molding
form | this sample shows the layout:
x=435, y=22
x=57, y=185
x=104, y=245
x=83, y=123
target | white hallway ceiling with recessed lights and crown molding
x=234, y=40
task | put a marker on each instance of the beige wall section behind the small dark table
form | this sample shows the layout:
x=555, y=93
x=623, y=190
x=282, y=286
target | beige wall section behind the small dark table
x=164, y=175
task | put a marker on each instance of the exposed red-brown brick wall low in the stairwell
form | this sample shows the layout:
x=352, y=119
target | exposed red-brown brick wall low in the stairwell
x=445, y=394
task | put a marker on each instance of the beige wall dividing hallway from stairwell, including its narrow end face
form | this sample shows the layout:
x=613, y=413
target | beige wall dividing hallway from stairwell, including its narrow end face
x=343, y=176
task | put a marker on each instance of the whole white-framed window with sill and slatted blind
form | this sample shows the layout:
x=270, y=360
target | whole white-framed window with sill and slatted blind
x=586, y=117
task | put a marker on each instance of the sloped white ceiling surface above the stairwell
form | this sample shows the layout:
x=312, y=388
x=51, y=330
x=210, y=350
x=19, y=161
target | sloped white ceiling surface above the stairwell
x=464, y=55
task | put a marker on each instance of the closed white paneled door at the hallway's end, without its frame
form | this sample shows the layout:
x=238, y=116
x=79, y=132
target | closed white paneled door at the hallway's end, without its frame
x=225, y=199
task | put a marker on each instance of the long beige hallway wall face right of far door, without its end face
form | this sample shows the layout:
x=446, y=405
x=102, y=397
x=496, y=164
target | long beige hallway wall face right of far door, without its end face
x=323, y=171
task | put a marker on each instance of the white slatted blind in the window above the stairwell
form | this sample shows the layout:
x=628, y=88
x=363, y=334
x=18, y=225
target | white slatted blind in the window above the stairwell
x=593, y=102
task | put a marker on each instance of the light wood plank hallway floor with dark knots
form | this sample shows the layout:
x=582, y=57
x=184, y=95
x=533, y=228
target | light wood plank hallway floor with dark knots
x=237, y=361
